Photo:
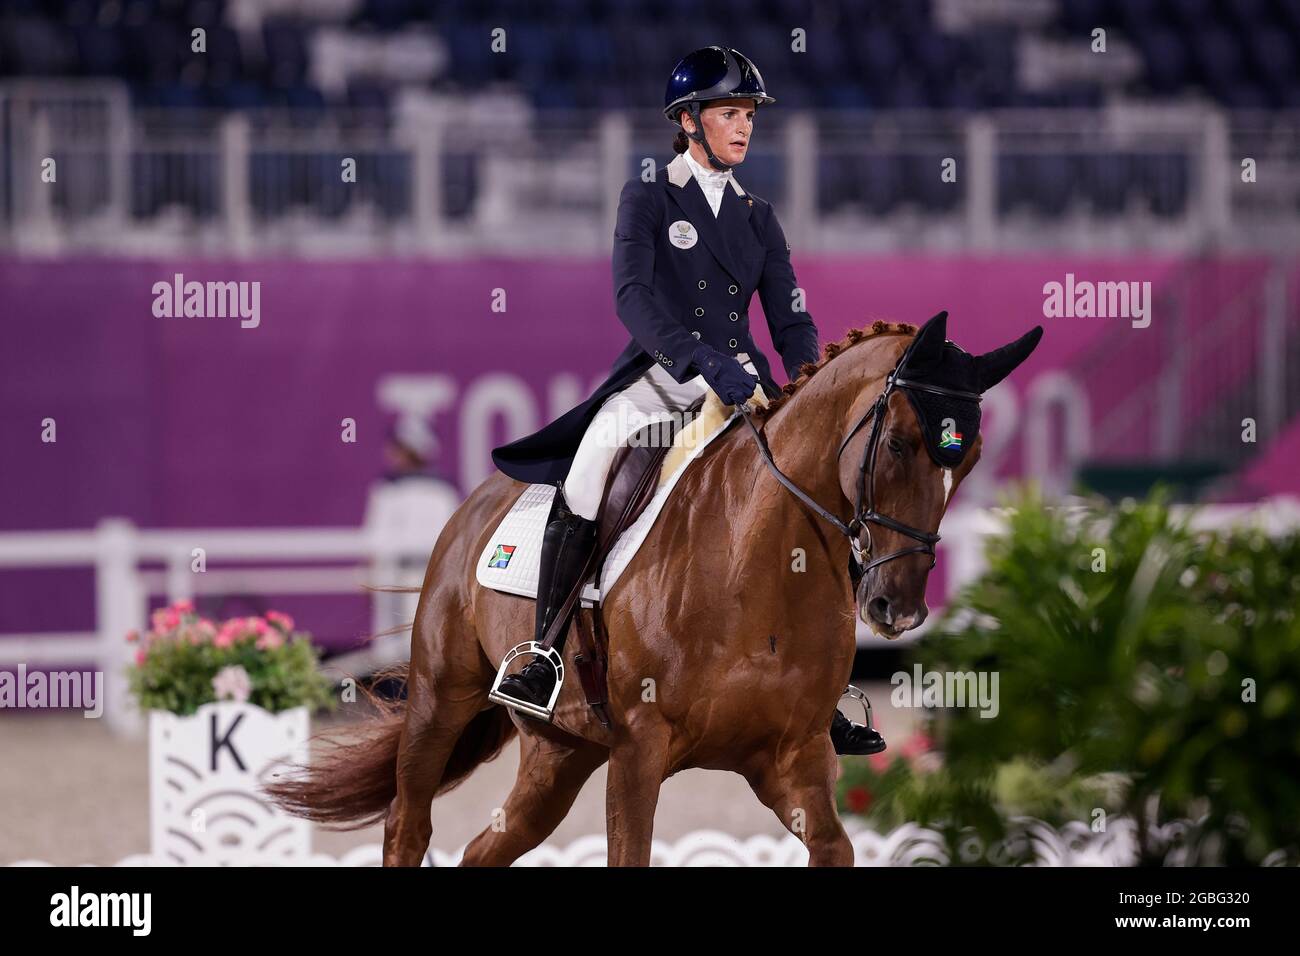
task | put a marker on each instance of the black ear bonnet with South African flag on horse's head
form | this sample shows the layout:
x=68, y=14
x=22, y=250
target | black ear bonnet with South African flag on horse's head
x=950, y=425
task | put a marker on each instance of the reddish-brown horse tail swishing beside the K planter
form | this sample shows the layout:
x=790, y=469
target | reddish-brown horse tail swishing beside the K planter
x=354, y=781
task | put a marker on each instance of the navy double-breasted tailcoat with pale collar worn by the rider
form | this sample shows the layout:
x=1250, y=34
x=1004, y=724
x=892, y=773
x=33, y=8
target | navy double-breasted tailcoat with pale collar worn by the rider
x=682, y=278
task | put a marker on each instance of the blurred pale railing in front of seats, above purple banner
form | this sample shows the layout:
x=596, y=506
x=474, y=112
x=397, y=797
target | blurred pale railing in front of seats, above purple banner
x=432, y=179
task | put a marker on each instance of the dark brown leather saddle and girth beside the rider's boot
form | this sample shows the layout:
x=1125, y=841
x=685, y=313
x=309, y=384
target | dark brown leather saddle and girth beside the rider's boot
x=631, y=485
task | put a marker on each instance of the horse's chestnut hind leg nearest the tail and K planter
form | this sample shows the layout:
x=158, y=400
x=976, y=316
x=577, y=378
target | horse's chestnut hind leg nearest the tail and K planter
x=448, y=686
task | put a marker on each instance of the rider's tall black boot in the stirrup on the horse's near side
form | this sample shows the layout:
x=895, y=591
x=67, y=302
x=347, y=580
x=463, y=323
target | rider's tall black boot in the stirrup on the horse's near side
x=567, y=546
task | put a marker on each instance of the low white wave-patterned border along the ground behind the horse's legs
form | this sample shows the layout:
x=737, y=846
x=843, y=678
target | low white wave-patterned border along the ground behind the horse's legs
x=1074, y=845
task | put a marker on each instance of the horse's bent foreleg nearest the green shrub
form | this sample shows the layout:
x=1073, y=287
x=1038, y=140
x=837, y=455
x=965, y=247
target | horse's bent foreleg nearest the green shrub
x=800, y=791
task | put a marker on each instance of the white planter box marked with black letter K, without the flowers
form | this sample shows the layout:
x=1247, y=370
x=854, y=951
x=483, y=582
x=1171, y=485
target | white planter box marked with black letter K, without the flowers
x=206, y=776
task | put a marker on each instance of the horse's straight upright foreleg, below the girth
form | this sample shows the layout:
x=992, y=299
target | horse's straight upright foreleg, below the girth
x=638, y=768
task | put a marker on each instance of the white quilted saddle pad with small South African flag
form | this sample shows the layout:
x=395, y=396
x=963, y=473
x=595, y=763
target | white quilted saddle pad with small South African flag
x=513, y=557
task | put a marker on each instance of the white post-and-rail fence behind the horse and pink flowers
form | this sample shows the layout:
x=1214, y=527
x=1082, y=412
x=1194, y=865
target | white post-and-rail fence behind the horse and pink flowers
x=132, y=566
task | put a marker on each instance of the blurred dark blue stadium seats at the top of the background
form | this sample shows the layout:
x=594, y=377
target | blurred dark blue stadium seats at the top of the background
x=616, y=54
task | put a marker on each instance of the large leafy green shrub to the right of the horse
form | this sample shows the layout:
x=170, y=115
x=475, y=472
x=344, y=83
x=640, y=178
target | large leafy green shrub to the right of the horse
x=1162, y=687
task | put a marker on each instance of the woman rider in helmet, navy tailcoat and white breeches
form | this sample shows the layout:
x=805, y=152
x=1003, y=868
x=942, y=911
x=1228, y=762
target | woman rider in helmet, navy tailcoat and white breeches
x=691, y=248
